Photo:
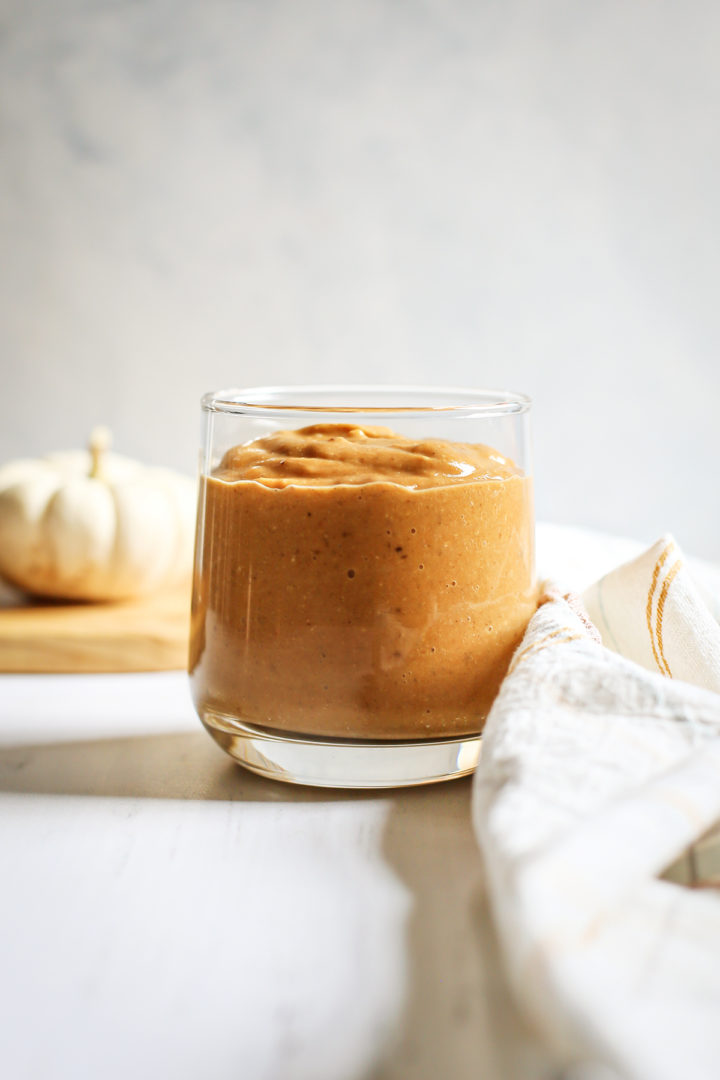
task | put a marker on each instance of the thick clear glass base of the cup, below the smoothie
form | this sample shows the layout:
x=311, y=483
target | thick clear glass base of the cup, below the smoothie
x=343, y=763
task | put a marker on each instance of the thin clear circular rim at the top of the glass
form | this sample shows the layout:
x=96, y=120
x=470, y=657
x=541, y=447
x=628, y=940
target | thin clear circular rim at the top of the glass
x=257, y=401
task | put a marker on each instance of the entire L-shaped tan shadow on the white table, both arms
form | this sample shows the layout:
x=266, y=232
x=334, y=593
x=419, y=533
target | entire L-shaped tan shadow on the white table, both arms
x=458, y=1020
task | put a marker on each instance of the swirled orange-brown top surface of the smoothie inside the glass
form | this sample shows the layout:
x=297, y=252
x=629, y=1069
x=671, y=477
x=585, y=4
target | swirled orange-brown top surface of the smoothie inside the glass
x=335, y=454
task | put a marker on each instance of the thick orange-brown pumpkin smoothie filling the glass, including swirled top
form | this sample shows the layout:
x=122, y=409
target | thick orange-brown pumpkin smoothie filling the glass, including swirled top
x=357, y=584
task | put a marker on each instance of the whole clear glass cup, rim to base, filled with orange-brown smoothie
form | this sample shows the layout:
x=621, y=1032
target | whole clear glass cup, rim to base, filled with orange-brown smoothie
x=354, y=618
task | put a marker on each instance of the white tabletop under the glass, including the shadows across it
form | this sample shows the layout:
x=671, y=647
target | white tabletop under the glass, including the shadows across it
x=167, y=914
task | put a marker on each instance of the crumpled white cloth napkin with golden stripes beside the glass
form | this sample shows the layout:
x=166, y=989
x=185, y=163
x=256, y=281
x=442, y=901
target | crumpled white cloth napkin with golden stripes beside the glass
x=597, y=772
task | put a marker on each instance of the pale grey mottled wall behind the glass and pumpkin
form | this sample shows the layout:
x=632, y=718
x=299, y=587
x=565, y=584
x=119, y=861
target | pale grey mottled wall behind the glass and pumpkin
x=493, y=193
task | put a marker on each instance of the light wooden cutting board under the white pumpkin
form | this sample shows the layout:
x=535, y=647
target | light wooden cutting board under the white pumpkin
x=143, y=636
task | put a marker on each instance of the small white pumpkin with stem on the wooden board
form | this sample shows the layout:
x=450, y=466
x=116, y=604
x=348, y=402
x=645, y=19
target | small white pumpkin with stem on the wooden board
x=92, y=525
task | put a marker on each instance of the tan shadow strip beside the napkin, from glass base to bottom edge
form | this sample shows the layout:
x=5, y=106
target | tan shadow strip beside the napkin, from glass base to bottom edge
x=459, y=1019
